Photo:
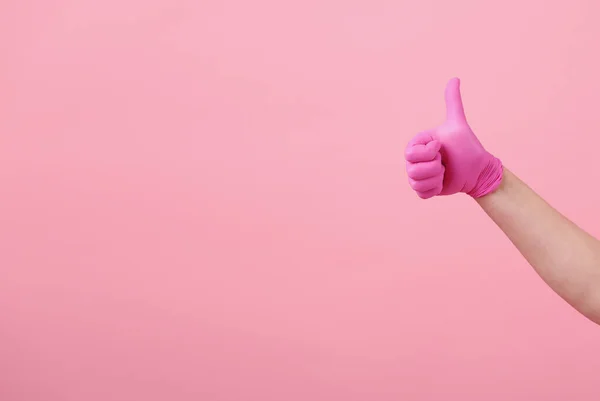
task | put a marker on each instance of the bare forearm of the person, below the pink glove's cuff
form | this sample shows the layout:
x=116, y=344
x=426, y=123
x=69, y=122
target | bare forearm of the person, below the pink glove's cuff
x=566, y=257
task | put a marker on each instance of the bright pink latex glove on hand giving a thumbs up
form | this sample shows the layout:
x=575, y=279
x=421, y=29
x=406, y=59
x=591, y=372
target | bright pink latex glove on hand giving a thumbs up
x=450, y=159
